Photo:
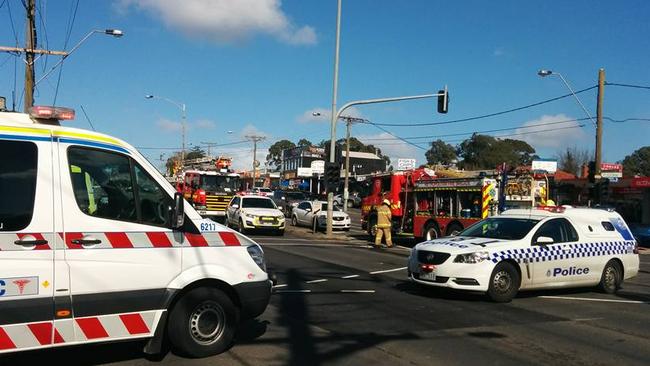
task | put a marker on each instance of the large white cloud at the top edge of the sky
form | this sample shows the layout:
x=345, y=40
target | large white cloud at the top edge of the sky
x=225, y=21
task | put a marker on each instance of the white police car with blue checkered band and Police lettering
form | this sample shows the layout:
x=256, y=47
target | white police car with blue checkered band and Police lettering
x=522, y=249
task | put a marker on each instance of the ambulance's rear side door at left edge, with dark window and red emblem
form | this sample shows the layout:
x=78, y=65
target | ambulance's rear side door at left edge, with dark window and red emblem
x=27, y=243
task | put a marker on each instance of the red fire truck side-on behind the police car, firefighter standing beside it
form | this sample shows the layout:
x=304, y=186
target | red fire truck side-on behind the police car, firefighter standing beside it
x=427, y=206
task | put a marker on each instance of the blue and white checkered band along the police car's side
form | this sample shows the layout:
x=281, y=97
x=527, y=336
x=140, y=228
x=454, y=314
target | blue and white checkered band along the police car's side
x=558, y=251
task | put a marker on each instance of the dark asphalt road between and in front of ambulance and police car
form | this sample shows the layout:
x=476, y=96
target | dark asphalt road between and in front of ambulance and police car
x=343, y=303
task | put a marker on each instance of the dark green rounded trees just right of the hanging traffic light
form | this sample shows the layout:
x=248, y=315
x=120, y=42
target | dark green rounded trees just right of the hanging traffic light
x=486, y=152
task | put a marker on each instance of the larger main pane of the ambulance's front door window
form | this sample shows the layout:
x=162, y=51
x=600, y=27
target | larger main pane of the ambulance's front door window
x=102, y=184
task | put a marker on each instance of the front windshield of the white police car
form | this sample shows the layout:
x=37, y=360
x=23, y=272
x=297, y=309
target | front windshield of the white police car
x=506, y=228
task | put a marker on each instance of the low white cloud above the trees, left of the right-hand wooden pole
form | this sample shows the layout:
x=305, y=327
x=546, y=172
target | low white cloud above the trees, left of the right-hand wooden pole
x=551, y=131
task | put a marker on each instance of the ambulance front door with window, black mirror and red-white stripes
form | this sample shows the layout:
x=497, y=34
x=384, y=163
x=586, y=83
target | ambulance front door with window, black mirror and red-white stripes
x=120, y=248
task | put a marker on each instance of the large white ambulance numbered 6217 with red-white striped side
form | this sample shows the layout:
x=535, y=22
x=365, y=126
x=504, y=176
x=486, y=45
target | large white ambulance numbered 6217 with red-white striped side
x=96, y=246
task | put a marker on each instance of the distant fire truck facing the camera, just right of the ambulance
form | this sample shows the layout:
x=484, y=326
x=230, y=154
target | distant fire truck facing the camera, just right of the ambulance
x=209, y=184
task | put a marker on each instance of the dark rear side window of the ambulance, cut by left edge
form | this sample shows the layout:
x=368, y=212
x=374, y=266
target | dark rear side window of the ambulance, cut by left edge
x=17, y=184
